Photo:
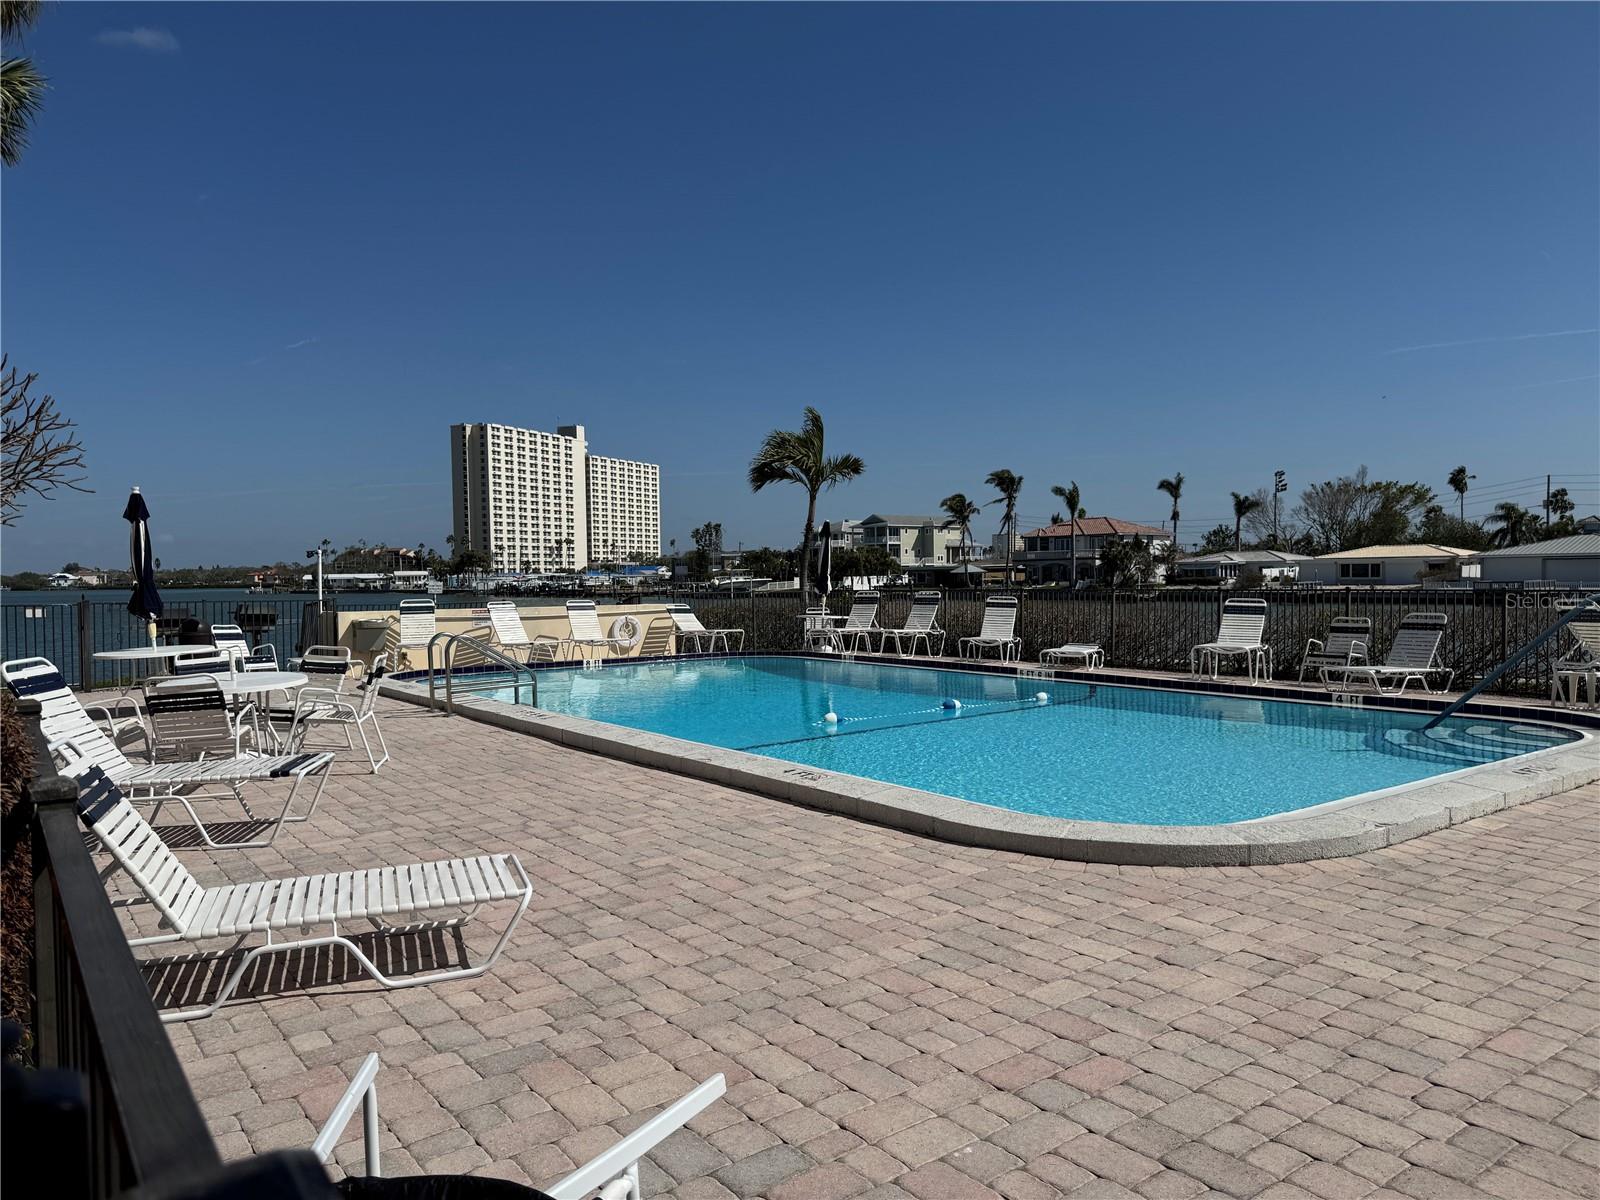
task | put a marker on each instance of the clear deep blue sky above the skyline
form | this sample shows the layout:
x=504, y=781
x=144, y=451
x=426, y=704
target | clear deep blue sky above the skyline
x=265, y=255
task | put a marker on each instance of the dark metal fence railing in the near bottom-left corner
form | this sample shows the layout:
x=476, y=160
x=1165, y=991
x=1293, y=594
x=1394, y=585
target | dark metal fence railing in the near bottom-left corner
x=135, y=1119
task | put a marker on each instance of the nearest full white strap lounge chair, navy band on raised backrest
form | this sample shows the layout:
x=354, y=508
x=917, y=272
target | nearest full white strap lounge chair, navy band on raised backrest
x=193, y=913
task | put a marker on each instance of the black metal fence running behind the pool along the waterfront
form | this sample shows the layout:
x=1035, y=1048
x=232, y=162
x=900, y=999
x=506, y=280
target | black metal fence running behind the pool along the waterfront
x=1148, y=630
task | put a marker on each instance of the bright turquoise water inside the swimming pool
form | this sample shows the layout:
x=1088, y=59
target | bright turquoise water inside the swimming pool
x=1089, y=751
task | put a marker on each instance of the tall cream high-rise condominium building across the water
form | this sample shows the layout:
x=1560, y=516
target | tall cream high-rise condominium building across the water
x=542, y=503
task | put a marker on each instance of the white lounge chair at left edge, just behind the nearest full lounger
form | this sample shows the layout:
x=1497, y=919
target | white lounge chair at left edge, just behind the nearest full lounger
x=74, y=737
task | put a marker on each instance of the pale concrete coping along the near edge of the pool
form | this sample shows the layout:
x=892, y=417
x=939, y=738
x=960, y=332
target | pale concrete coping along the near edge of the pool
x=1350, y=828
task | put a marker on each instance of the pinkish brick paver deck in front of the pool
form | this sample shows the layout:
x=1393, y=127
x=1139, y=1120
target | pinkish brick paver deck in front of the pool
x=900, y=1017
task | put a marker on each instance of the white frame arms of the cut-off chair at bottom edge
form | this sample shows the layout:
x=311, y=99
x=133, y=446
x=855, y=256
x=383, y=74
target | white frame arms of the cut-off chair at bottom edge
x=612, y=1175
